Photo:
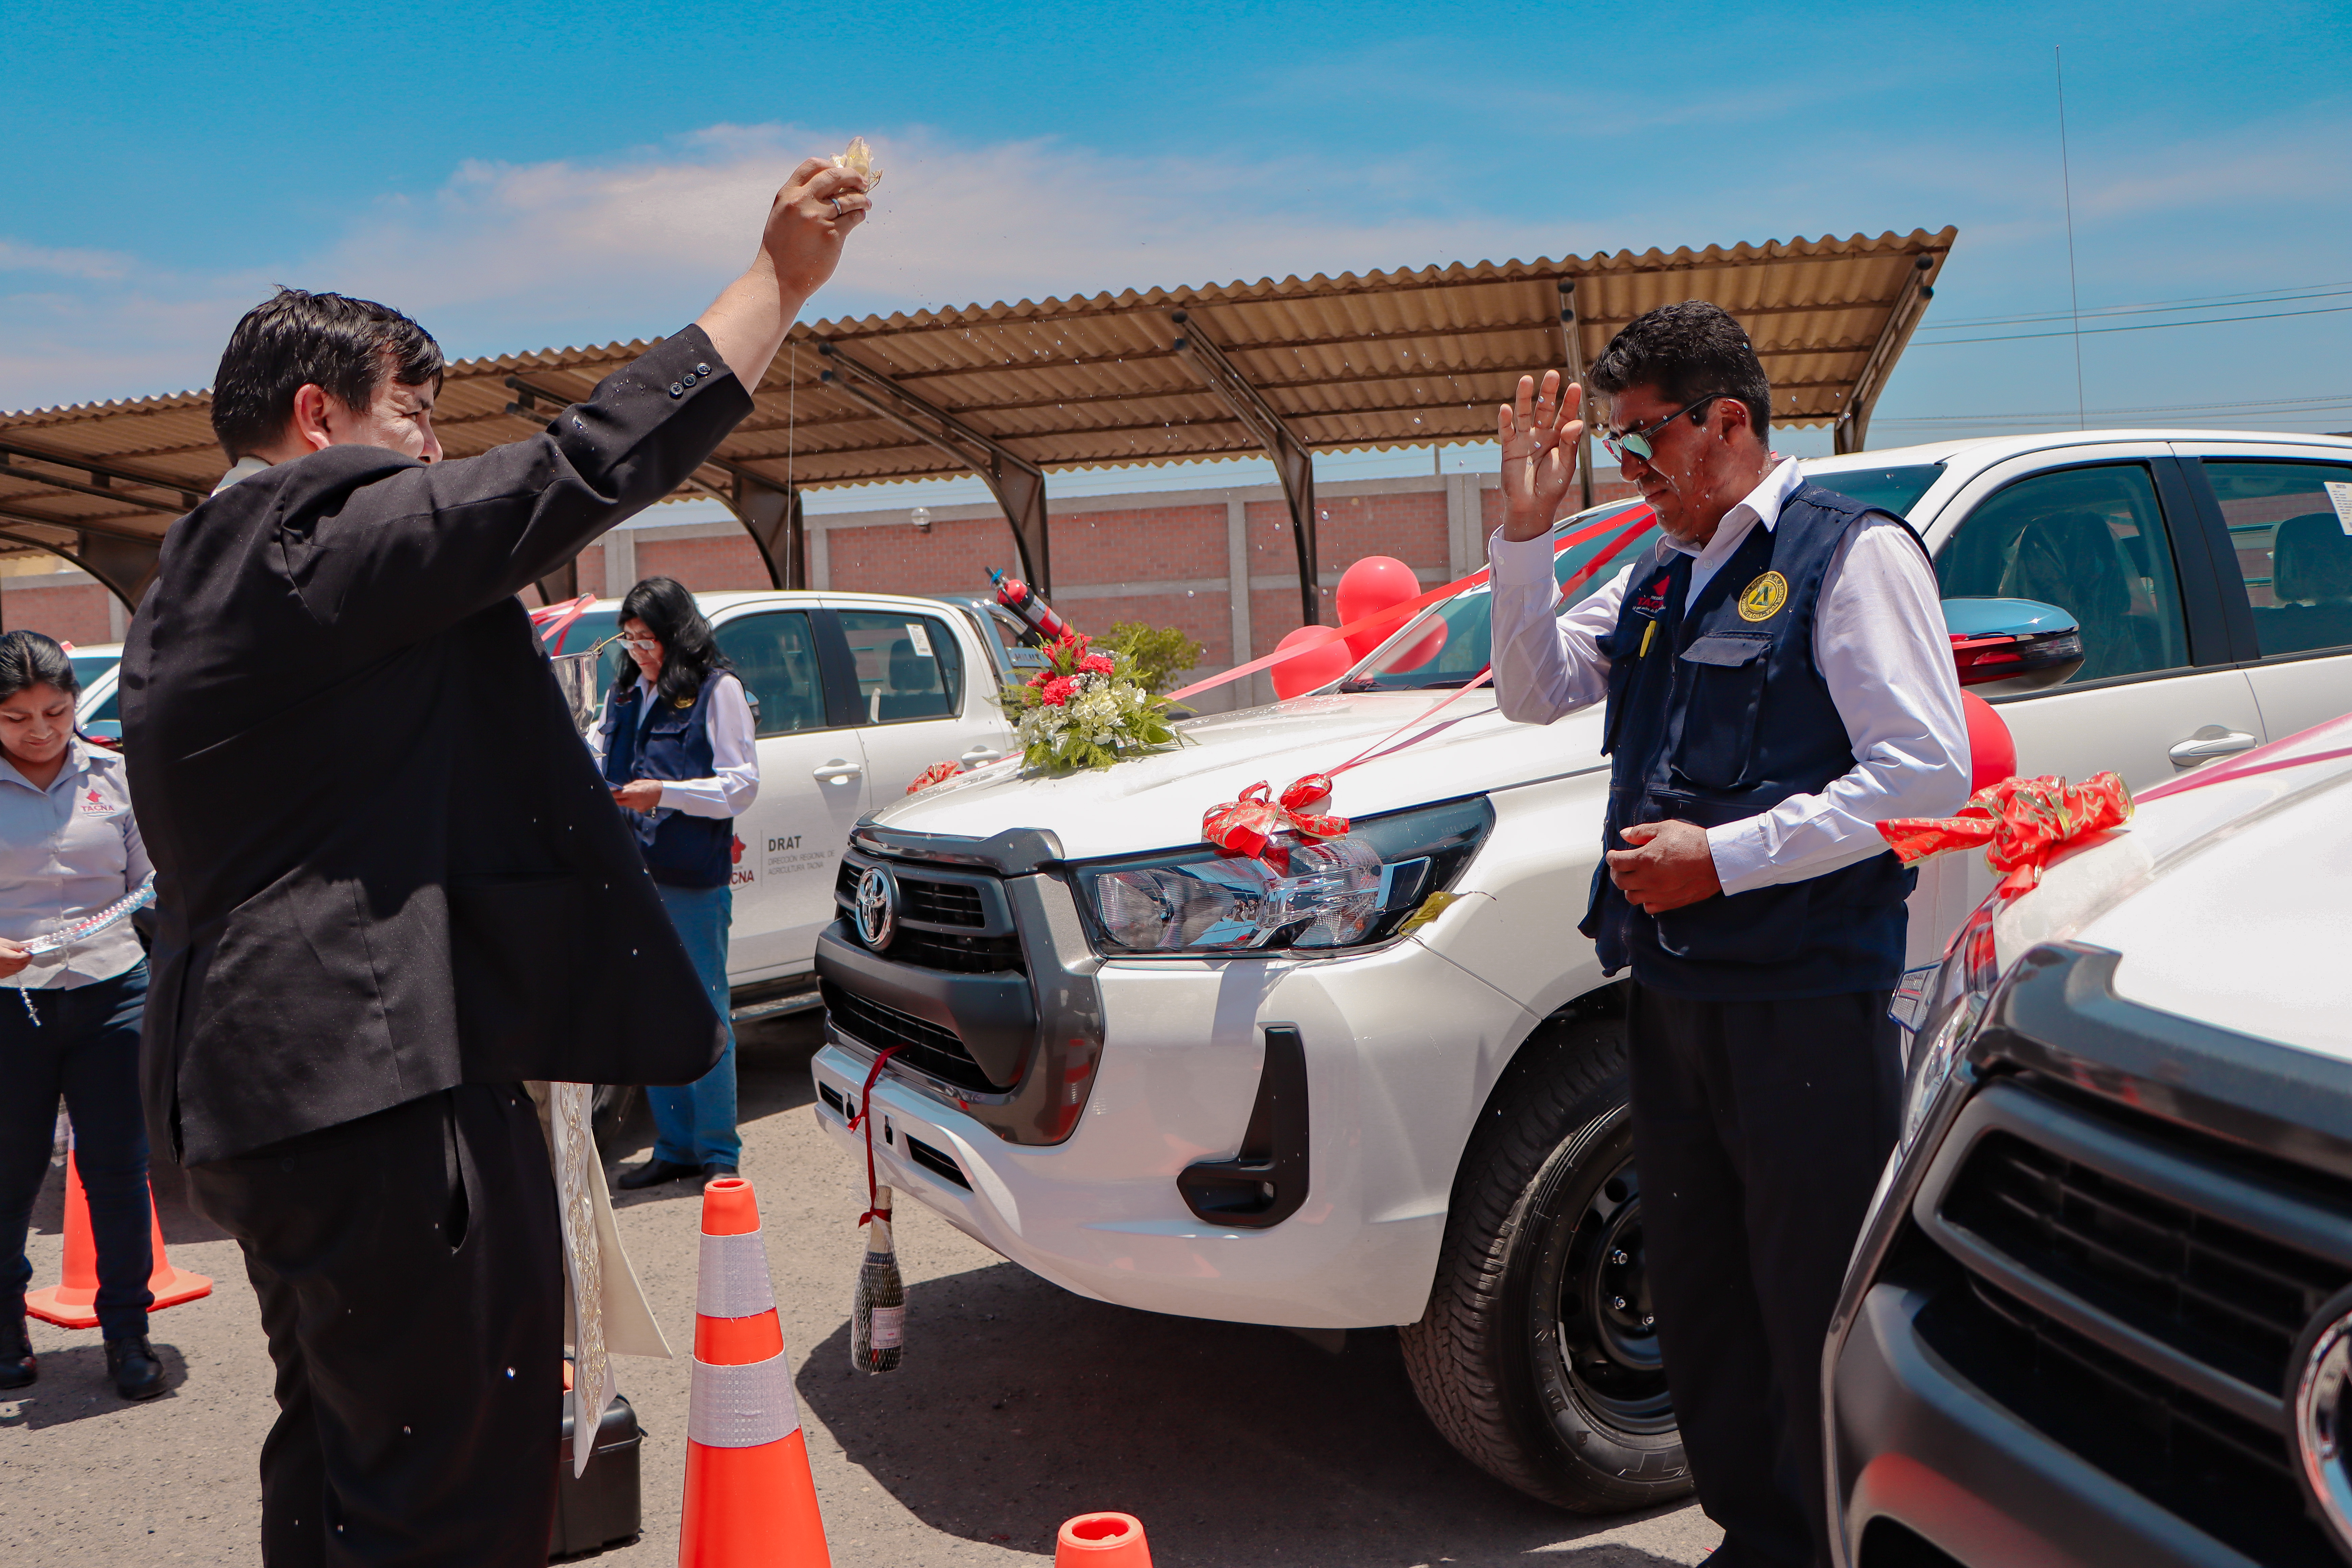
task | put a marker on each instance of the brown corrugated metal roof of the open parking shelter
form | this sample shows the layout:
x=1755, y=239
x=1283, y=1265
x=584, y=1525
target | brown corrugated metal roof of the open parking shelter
x=1379, y=361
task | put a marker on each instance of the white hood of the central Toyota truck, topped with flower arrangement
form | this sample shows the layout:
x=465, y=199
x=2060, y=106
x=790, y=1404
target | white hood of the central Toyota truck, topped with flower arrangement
x=1158, y=800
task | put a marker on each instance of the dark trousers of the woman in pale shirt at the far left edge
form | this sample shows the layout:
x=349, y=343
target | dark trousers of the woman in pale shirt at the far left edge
x=88, y=1050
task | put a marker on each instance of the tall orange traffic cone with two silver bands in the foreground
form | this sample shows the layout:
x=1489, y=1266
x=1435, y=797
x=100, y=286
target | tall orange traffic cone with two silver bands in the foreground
x=751, y=1501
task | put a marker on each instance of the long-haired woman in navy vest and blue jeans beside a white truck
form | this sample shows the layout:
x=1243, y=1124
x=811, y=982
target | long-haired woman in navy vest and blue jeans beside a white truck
x=676, y=746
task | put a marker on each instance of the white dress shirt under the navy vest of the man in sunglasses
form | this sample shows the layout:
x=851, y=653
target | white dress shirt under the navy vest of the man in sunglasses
x=1878, y=643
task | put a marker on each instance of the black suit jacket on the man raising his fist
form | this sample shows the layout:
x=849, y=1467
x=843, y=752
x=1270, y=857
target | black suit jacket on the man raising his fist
x=385, y=859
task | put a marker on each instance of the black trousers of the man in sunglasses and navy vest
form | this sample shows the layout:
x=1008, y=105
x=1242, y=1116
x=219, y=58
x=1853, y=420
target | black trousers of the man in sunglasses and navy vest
x=1760, y=1130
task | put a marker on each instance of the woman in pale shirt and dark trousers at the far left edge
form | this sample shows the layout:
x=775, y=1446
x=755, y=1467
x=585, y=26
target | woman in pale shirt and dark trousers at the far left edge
x=69, y=850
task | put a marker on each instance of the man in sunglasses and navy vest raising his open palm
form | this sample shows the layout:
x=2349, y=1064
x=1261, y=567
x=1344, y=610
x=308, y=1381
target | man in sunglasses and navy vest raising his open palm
x=1779, y=681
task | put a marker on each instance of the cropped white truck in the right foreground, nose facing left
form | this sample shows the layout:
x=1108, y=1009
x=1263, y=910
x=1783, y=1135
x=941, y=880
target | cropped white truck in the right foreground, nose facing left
x=2104, y=1306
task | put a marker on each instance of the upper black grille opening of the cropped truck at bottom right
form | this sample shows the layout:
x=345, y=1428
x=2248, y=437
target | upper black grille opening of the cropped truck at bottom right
x=2212, y=1289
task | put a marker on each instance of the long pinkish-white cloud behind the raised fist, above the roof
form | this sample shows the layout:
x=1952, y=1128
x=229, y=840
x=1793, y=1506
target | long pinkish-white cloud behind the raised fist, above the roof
x=954, y=225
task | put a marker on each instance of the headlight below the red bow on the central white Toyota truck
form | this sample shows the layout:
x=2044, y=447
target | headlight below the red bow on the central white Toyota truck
x=1297, y=897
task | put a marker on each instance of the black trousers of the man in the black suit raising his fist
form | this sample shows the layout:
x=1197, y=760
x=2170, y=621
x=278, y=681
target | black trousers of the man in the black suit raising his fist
x=410, y=1278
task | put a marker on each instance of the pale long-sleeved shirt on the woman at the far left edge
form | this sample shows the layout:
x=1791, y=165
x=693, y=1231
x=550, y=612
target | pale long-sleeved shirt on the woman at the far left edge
x=65, y=855
